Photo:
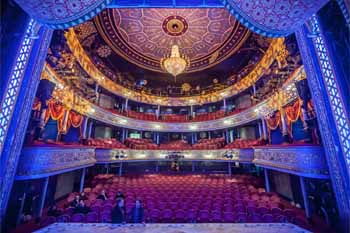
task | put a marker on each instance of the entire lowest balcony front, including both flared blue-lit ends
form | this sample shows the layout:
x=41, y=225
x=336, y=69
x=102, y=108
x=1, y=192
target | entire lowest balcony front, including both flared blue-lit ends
x=43, y=161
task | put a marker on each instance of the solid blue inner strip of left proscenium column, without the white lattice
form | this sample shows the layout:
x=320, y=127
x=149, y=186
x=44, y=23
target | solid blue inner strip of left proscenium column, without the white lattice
x=21, y=113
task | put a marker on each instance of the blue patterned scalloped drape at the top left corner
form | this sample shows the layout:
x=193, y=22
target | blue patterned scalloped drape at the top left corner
x=64, y=13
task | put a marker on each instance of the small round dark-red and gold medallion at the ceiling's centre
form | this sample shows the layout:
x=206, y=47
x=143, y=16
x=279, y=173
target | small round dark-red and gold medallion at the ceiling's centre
x=175, y=25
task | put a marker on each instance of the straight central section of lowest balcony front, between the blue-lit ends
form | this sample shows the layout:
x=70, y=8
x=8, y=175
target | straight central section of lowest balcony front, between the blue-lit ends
x=120, y=155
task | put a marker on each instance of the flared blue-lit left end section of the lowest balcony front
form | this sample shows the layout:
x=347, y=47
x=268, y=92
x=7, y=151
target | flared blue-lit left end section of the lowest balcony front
x=38, y=162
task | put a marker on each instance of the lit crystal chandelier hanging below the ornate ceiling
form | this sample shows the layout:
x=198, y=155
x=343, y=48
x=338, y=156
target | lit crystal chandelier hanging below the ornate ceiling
x=176, y=63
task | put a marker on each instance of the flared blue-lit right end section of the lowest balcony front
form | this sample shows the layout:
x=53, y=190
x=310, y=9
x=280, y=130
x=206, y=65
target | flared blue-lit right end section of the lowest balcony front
x=308, y=161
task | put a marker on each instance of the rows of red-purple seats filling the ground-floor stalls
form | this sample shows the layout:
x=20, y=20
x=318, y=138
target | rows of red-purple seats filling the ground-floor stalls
x=187, y=199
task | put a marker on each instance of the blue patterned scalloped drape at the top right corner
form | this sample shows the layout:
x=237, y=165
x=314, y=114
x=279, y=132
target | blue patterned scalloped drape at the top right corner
x=273, y=18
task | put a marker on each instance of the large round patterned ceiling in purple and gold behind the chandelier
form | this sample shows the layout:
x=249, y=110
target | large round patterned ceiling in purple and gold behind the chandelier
x=145, y=36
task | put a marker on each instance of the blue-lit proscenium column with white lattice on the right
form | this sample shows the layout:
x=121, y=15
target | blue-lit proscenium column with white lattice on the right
x=330, y=106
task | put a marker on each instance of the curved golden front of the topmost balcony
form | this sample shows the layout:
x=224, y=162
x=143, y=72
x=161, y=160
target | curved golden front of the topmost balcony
x=276, y=52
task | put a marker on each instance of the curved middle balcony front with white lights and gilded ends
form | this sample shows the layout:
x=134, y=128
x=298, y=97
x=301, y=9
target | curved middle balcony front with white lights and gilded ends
x=70, y=100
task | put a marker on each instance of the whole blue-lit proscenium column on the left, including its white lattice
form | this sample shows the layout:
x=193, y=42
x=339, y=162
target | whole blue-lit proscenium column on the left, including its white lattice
x=17, y=100
